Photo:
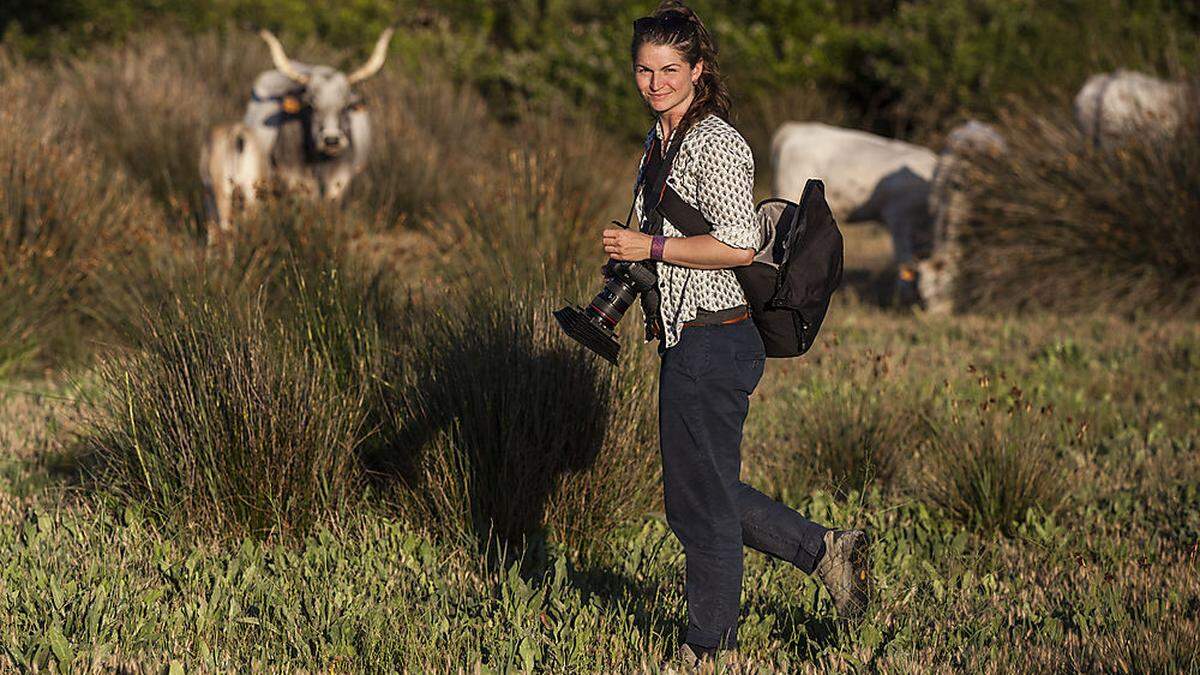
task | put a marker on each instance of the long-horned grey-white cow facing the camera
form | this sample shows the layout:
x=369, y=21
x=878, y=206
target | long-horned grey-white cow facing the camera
x=305, y=132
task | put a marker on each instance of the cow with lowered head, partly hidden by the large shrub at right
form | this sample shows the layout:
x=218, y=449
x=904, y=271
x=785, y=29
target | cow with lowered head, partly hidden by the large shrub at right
x=950, y=210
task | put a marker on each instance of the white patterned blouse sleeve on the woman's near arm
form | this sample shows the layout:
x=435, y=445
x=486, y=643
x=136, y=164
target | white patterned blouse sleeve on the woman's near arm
x=725, y=190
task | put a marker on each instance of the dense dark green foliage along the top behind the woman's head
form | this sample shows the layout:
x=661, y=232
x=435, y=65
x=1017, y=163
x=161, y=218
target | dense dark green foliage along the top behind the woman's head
x=902, y=67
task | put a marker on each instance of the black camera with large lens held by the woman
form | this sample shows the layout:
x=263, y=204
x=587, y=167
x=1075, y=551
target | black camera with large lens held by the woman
x=595, y=327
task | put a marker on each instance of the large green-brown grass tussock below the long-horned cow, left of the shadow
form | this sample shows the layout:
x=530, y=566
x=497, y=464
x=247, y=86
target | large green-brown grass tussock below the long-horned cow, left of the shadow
x=229, y=420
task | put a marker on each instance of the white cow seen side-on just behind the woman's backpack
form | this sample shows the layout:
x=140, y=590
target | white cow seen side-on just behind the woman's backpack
x=867, y=177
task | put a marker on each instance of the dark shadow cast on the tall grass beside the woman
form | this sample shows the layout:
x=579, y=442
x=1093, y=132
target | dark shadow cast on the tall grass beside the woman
x=487, y=419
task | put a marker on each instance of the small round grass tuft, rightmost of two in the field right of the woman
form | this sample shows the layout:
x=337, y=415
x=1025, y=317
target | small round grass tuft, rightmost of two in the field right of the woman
x=991, y=462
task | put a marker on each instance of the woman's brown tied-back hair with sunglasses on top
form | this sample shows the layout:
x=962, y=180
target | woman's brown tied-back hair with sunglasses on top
x=677, y=26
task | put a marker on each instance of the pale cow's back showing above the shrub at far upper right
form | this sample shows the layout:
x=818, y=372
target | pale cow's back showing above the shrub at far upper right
x=1125, y=104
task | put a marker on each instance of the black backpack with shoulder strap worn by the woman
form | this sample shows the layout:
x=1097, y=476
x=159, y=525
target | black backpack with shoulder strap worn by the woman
x=793, y=278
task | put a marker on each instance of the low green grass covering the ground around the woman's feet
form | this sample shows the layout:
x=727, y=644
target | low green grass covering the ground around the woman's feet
x=1106, y=582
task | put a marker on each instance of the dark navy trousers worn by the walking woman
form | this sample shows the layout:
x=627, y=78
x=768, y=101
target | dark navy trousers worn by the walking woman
x=704, y=398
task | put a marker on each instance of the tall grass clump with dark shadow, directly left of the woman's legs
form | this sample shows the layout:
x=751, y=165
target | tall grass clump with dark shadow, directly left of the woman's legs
x=507, y=427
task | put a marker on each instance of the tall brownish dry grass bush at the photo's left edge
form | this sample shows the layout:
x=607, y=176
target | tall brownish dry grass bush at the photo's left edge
x=65, y=224
